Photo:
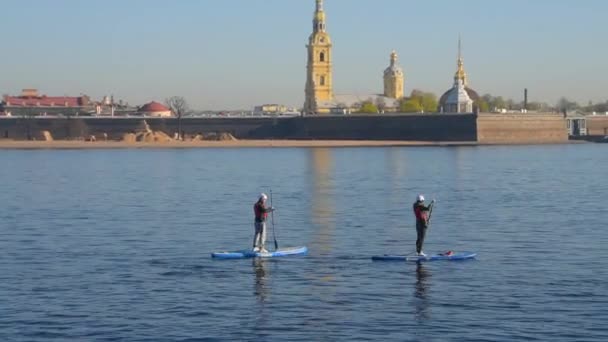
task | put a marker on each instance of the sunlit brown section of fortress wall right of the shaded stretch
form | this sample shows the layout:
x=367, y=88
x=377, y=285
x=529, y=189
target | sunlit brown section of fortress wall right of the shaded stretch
x=521, y=128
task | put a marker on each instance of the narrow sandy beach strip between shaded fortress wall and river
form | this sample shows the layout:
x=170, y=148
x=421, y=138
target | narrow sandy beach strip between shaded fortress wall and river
x=65, y=144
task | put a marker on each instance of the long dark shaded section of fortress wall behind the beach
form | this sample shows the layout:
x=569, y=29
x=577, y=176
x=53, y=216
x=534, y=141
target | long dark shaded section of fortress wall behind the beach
x=426, y=127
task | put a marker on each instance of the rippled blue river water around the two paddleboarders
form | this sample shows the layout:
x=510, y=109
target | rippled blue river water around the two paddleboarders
x=115, y=245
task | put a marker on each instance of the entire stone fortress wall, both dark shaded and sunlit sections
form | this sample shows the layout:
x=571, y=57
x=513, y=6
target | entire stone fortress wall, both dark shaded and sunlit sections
x=483, y=128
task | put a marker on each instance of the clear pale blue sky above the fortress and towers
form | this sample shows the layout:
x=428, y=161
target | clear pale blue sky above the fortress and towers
x=238, y=53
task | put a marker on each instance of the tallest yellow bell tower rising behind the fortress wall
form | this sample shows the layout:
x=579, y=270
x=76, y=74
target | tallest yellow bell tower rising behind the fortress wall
x=319, y=68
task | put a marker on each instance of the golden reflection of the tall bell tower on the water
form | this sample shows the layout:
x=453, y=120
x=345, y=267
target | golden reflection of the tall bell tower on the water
x=322, y=206
